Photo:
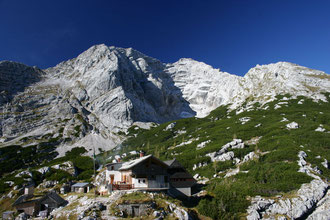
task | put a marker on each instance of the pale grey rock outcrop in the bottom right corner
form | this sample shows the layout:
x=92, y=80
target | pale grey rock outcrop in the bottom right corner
x=310, y=201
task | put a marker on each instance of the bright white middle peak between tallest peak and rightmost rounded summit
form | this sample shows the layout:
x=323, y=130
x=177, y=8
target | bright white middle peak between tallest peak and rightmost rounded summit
x=204, y=87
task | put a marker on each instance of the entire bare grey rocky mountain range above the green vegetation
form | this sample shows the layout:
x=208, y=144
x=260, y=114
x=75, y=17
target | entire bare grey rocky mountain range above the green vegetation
x=93, y=98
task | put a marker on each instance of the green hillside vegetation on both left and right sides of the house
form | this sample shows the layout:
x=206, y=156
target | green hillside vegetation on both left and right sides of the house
x=266, y=165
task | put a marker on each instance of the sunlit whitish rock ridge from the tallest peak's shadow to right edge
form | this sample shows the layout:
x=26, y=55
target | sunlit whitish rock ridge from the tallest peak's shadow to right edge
x=206, y=88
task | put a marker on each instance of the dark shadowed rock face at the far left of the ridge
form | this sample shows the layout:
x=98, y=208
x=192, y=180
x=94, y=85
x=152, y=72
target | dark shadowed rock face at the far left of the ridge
x=15, y=77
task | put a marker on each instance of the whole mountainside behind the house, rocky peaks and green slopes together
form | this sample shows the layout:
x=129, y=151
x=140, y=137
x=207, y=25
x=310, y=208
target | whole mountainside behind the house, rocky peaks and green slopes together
x=259, y=144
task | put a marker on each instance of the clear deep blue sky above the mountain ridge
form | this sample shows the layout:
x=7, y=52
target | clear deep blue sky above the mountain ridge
x=231, y=35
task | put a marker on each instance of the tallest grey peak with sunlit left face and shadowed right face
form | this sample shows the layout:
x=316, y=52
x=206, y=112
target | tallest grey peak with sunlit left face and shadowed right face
x=121, y=86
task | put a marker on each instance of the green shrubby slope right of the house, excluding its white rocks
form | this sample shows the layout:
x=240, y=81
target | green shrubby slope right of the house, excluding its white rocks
x=271, y=174
